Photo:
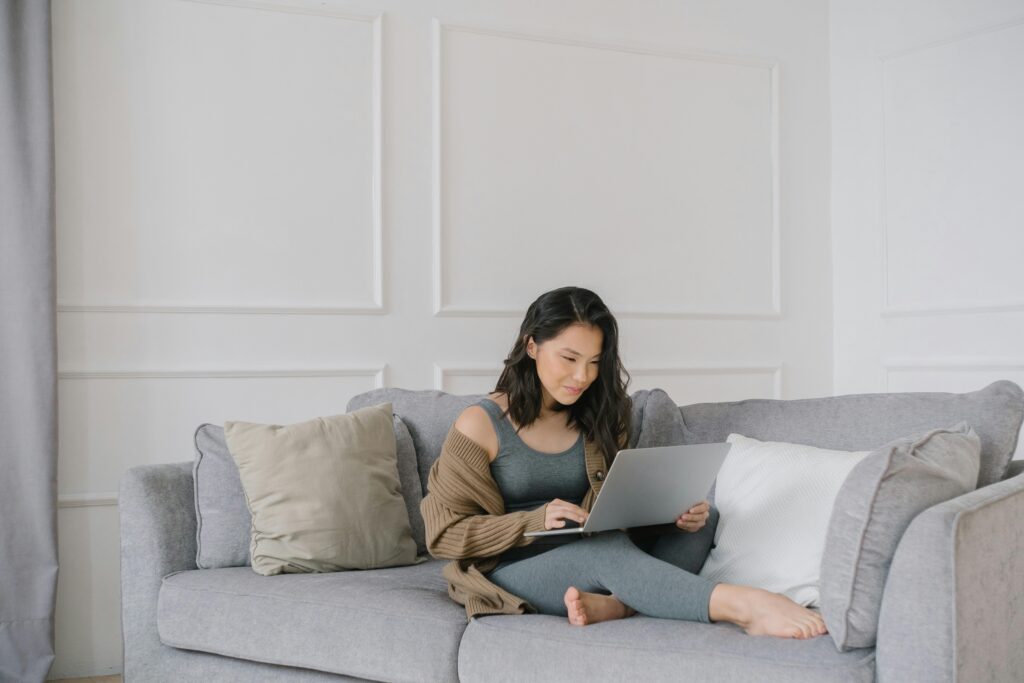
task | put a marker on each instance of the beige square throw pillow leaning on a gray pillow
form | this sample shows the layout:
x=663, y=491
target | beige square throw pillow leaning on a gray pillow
x=324, y=495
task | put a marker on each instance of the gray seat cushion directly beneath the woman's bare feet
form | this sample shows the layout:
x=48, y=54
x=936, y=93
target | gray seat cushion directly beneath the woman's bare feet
x=540, y=648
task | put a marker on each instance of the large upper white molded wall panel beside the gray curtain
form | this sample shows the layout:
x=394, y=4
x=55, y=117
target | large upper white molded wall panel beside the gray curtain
x=226, y=149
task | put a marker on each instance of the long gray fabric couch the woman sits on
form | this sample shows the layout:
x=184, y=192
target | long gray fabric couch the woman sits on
x=953, y=609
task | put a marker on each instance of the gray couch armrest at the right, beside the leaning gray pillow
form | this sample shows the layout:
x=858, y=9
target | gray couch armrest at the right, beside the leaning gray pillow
x=954, y=604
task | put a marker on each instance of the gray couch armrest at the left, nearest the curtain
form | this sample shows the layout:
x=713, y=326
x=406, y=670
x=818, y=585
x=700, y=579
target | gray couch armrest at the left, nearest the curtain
x=158, y=537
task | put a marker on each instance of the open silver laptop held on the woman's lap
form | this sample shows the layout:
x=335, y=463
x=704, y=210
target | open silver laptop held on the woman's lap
x=651, y=487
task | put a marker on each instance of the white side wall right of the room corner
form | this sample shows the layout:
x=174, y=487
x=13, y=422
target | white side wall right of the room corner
x=928, y=208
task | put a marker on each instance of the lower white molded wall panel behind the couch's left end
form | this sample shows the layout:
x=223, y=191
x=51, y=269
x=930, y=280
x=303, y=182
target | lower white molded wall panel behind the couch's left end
x=111, y=421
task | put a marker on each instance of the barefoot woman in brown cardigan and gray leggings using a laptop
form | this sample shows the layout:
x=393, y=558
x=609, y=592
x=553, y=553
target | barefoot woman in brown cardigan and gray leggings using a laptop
x=532, y=457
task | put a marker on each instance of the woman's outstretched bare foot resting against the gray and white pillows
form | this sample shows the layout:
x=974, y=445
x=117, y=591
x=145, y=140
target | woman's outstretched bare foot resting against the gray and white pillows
x=762, y=613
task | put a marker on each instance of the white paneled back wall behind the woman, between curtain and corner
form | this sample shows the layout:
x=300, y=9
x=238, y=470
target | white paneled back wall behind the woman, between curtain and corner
x=267, y=208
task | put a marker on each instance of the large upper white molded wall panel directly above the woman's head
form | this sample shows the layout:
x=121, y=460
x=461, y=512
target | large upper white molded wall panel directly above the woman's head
x=680, y=216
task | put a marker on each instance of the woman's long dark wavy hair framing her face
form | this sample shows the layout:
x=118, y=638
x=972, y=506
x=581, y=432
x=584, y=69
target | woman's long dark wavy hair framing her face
x=604, y=412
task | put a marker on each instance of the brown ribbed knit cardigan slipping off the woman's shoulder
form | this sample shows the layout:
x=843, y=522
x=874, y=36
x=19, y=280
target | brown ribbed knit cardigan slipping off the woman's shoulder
x=465, y=521
